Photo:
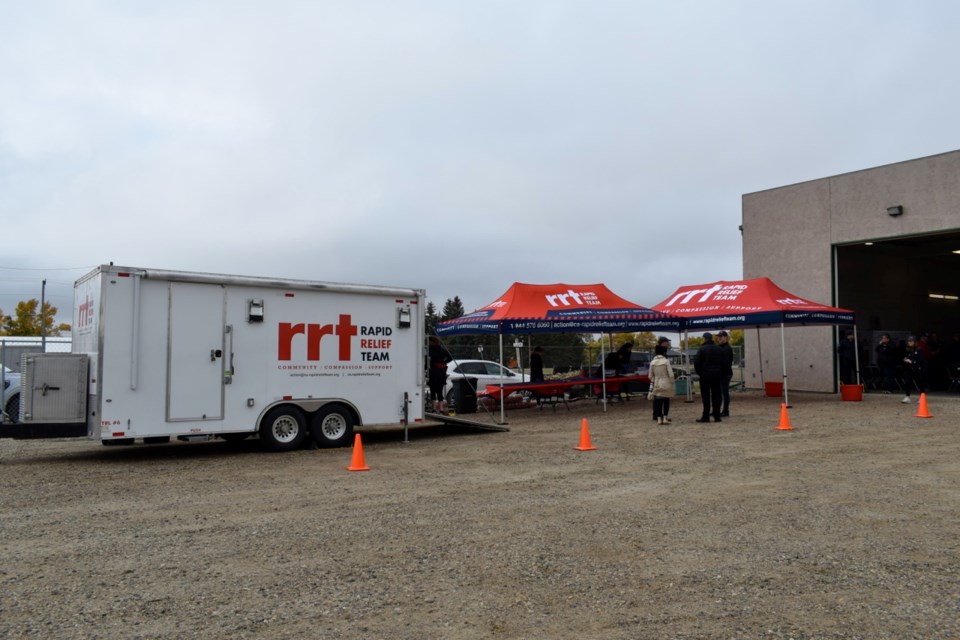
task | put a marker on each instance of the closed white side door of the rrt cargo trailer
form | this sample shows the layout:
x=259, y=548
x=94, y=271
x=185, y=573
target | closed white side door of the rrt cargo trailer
x=195, y=348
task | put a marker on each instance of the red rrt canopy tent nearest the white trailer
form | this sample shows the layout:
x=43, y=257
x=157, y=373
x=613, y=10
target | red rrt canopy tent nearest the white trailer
x=558, y=308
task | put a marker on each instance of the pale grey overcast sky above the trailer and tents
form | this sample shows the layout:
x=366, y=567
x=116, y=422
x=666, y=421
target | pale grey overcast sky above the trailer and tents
x=456, y=146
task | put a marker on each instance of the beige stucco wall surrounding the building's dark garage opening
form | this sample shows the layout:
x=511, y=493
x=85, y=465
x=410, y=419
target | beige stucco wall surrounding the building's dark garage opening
x=789, y=234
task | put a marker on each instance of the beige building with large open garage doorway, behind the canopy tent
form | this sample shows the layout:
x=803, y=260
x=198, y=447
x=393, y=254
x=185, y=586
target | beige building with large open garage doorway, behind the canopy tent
x=884, y=242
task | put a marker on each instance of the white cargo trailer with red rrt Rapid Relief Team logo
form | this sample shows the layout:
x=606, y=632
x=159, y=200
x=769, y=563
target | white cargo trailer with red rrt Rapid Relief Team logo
x=159, y=354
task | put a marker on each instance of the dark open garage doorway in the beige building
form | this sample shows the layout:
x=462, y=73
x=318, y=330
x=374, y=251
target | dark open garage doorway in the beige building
x=903, y=286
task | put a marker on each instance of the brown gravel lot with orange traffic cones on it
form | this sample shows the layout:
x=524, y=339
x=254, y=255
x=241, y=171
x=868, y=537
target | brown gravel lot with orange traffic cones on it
x=845, y=527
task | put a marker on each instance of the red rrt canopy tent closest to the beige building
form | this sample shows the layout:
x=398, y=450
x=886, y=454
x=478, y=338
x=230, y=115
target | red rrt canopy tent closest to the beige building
x=751, y=303
